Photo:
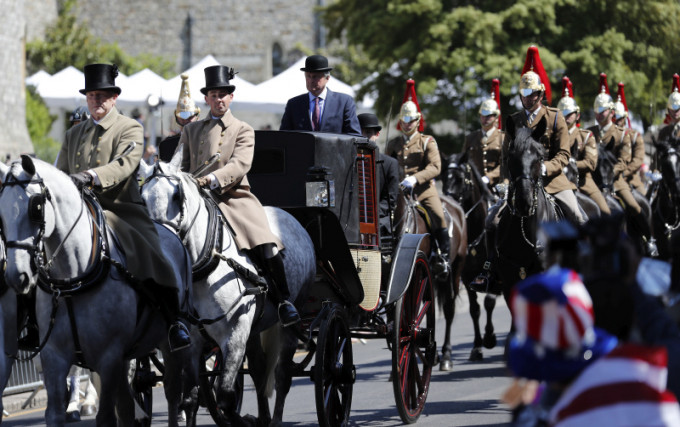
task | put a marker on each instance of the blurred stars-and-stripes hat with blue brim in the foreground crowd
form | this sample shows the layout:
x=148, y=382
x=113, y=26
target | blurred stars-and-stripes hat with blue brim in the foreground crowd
x=555, y=337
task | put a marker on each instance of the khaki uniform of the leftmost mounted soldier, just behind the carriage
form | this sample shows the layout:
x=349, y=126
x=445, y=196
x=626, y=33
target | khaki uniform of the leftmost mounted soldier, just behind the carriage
x=418, y=156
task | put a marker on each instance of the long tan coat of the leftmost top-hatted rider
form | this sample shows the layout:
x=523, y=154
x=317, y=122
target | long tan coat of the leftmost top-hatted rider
x=94, y=146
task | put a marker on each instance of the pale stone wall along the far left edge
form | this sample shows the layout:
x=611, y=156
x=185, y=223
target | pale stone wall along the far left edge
x=14, y=136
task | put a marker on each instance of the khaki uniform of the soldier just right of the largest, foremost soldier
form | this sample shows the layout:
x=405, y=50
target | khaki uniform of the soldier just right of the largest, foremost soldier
x=586, y=162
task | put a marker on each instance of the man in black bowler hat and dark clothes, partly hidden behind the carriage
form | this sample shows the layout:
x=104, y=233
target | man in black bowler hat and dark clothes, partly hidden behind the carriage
x=387, y=174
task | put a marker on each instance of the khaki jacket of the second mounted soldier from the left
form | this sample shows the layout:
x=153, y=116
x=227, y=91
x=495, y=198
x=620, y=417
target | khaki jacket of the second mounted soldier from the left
x=485, y=153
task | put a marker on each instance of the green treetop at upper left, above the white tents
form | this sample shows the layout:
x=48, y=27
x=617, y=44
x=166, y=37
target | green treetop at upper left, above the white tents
x=68, y=42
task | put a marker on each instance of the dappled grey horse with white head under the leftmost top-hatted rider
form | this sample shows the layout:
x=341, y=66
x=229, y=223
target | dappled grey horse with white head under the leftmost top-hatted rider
x=57, y=242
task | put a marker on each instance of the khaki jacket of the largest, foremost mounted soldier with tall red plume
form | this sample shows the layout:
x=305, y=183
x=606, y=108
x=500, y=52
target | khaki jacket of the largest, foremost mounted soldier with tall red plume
x=556, y=145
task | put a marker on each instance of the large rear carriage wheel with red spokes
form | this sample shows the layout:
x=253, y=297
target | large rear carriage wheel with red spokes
x=414, y=349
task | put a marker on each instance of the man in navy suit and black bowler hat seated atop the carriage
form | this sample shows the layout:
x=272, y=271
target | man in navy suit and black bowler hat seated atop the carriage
x=320, y=110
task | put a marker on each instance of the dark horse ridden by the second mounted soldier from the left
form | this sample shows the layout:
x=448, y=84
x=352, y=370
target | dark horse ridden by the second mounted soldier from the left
x=464, y=183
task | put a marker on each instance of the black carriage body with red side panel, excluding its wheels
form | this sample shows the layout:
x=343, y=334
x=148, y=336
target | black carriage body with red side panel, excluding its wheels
x=328, y=182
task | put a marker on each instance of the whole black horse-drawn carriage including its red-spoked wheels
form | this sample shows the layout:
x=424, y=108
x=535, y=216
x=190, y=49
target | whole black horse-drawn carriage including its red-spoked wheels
x=368, y=284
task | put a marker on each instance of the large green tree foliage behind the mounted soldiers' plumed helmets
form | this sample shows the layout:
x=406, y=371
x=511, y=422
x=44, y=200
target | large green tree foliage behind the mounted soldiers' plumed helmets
x=453, y=48
